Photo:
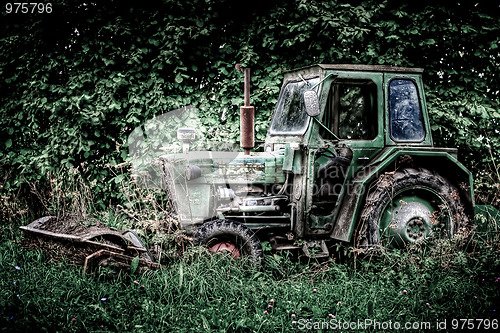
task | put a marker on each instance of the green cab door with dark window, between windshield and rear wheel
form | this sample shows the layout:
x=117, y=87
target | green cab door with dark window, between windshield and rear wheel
x=351, y=134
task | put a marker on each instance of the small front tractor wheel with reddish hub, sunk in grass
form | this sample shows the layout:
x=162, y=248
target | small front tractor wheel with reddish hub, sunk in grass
x=231, y=237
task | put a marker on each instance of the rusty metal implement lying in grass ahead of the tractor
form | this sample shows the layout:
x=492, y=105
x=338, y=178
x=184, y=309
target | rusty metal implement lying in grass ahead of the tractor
x=95, y=246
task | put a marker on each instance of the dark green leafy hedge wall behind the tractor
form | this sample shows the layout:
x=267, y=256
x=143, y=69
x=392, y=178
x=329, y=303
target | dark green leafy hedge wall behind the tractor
x=78, y=81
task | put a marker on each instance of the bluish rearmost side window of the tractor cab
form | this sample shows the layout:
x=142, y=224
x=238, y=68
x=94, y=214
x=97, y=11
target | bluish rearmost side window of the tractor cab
x=405, y=115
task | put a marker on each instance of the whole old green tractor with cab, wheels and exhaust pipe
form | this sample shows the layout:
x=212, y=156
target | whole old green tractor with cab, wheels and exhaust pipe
x=348, y=157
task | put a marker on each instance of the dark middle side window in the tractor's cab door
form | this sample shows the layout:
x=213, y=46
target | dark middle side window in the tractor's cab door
x=351, y=111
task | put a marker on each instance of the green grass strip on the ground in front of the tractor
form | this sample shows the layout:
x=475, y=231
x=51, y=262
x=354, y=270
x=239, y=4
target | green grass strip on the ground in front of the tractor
x=427, y=283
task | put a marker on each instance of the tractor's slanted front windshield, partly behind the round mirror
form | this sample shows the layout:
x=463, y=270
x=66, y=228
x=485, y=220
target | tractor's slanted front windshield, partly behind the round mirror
x=290, y=117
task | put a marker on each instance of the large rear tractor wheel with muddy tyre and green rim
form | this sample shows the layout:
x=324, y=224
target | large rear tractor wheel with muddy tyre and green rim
x=410, y=205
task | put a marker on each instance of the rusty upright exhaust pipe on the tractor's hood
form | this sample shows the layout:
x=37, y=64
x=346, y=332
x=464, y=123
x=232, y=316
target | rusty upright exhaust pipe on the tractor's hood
x=247, y=114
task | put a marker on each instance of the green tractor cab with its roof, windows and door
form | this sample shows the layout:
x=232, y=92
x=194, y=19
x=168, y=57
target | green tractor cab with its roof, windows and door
x=332, y=122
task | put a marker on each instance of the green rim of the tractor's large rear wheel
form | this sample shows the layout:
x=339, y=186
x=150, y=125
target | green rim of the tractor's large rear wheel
x=412, y=215
